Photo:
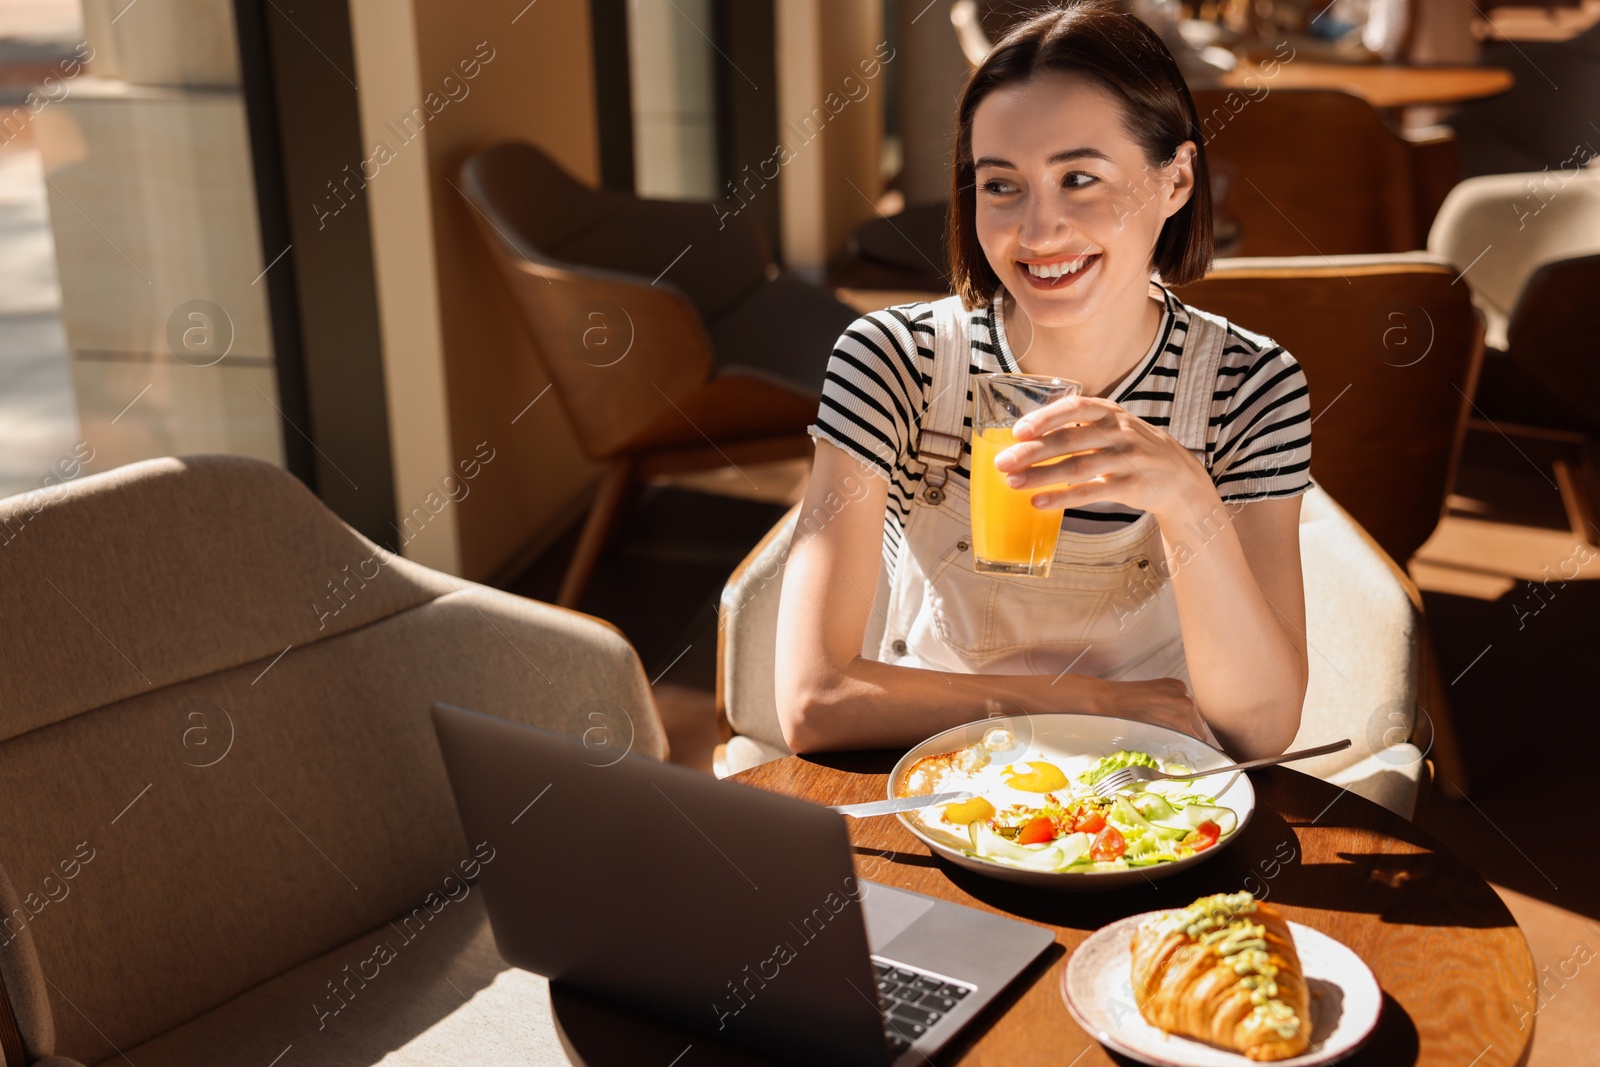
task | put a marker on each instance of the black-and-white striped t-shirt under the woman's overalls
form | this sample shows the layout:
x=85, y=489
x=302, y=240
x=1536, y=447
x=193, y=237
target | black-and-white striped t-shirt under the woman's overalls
x=874, y=399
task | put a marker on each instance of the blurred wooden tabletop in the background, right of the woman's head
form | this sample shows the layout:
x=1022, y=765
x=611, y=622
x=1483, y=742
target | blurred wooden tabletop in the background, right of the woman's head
x=1378, y=86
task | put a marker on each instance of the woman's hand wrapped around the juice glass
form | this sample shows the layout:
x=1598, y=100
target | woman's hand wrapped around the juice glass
x=1110, y=455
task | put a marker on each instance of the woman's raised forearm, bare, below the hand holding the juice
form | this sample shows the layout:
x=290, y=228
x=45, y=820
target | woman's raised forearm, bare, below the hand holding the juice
x=1247, y=658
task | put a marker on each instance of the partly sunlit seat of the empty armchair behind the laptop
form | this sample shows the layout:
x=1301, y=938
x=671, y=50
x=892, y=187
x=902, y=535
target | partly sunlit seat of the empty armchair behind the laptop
x=417, y=994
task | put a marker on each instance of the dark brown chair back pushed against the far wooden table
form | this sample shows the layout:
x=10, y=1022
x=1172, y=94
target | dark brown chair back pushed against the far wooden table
x=1318, y=172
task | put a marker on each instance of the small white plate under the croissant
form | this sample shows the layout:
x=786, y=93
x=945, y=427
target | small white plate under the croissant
x=1098, y=989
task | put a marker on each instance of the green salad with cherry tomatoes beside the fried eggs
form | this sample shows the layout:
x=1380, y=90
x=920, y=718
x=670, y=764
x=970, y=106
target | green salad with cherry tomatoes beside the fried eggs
x=1146, y=825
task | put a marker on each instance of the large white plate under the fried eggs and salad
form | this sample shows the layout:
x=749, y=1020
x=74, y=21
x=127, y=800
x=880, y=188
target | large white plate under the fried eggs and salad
x=1074, y=743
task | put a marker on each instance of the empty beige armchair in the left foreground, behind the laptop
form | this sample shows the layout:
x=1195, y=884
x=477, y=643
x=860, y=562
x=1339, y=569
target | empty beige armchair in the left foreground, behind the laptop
x=230, y=834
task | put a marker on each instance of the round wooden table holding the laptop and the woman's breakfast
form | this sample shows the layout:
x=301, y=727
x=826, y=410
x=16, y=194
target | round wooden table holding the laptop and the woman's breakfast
x=1455, y=969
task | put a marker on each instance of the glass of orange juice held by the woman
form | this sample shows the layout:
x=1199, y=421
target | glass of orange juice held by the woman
x=1010, y=537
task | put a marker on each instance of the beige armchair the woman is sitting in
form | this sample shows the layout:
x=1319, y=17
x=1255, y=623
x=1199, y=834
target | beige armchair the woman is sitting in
x=1362, y=621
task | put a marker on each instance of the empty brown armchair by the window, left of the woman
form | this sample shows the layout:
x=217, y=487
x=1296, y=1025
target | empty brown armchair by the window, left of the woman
x=671, y=340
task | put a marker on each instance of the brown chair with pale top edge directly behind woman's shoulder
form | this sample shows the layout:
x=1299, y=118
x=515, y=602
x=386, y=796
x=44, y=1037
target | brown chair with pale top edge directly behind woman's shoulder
x=1391, y=351
